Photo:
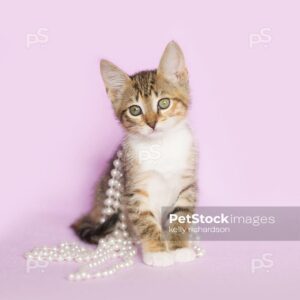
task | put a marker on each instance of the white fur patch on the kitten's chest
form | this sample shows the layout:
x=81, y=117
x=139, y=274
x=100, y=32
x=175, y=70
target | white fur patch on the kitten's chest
x=164, y=159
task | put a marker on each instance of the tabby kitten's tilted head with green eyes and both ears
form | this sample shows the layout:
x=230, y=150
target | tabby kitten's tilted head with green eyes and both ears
x=150, y=102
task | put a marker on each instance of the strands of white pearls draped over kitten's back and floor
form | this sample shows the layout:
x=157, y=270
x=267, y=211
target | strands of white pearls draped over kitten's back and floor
x=116, y=246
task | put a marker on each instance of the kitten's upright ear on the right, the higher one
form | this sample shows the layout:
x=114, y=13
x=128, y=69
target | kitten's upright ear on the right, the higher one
x=172, y=65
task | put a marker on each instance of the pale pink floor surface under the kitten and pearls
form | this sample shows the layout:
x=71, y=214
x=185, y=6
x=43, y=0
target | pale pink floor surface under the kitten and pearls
x=224, y=272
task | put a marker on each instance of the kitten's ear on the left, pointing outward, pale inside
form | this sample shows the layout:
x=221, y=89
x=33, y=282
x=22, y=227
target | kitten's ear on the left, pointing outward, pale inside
x=114, y=78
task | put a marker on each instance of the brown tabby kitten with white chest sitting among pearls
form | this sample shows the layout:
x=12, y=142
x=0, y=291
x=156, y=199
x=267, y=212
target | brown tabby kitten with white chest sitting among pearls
x=159, y=157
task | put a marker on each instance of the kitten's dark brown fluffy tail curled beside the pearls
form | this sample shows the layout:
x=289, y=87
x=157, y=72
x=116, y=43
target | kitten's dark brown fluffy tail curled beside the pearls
x=90, y=231
